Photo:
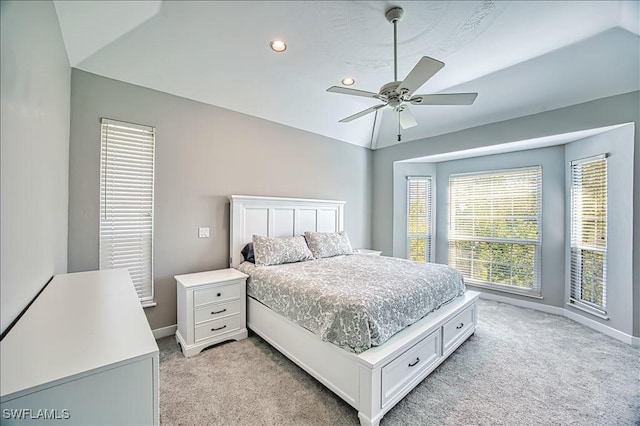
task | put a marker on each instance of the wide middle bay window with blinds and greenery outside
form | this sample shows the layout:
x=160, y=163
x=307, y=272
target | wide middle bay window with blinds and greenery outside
x=494, y=228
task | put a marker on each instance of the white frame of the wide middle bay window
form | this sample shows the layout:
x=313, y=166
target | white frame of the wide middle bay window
x=536, y=290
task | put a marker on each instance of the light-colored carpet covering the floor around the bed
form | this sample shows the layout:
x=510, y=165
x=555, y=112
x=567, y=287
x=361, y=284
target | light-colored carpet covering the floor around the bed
x=522, y=367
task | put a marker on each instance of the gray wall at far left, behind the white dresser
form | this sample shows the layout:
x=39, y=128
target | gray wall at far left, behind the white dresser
x=35, y=95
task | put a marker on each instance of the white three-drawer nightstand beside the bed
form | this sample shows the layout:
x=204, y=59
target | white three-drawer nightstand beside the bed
x=212, y=308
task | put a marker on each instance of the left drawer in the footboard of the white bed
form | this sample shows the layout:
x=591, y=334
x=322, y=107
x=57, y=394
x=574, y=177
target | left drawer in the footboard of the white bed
x=399, y=373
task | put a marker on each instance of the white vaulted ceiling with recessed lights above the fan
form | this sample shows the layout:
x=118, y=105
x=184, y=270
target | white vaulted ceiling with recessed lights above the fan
x=522, y=57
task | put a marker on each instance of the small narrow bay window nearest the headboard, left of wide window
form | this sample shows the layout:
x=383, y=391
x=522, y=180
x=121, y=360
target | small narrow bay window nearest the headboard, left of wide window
x=419, y=218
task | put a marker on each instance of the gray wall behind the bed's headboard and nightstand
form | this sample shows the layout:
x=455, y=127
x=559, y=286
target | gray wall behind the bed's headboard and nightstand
x=203, y=154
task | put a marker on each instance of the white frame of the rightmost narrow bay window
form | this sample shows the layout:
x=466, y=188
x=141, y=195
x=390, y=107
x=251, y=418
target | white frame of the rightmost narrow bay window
x=576, y=300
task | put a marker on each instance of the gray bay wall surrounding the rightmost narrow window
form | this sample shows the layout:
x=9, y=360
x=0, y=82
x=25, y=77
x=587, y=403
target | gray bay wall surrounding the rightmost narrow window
x=618, y=144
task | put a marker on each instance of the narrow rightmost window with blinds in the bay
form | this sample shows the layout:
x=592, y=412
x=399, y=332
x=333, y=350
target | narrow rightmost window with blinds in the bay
x=589, y=233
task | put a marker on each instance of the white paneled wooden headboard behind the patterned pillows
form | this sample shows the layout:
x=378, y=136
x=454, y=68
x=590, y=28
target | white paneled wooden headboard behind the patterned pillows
x=279, y=217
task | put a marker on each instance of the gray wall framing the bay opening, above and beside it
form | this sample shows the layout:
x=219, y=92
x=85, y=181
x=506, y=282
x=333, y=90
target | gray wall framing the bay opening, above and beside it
x=599, y=113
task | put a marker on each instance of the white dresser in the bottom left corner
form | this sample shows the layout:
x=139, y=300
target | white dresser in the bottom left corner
x=82, y=354
